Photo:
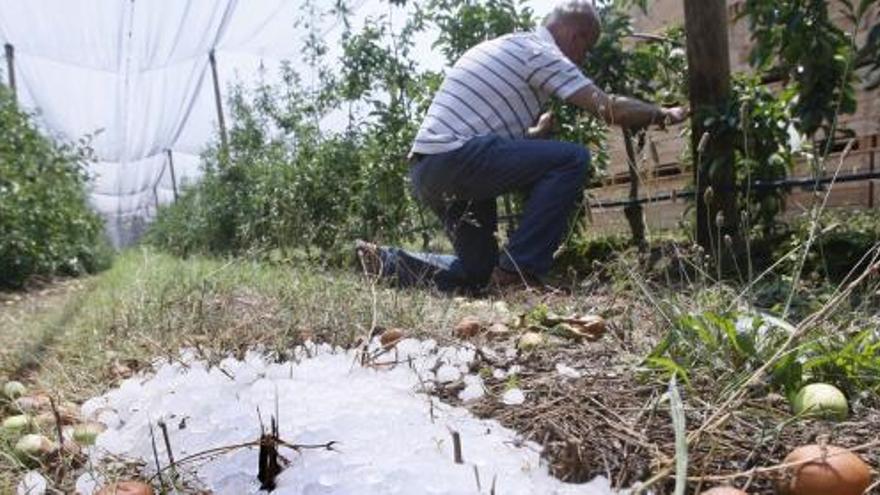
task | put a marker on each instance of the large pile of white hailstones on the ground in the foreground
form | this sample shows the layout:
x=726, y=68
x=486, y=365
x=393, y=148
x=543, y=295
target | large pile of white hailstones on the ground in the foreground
x=390, y=437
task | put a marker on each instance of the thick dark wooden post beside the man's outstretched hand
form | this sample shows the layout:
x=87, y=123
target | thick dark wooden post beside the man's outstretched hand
x=709, y=82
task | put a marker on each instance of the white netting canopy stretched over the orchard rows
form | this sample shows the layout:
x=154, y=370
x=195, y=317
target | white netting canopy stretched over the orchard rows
x=135, y=74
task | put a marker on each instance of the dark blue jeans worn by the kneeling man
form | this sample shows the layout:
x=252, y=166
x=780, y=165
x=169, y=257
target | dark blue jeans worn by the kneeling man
x=461, y=187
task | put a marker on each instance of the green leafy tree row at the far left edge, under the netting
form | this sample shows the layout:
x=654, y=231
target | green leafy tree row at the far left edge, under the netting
x=46, y=225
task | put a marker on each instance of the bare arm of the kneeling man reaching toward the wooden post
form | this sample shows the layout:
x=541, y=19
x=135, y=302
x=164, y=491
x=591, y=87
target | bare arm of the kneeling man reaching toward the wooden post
x=623, y=111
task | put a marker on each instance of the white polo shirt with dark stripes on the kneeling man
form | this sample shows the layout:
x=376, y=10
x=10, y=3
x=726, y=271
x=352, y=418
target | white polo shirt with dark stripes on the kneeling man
x=498, y=87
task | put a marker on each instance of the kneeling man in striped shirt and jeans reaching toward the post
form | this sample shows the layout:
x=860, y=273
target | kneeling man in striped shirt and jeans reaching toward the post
x=482, y=138
